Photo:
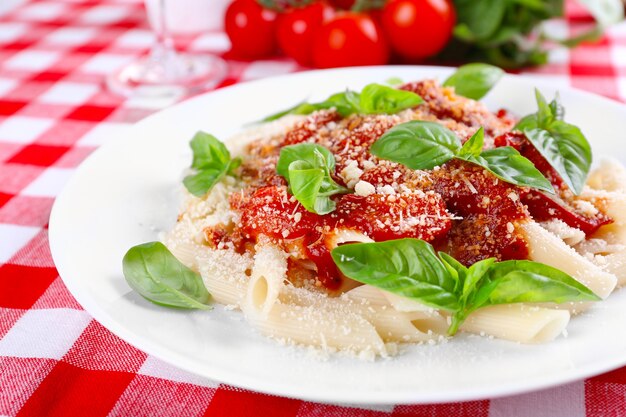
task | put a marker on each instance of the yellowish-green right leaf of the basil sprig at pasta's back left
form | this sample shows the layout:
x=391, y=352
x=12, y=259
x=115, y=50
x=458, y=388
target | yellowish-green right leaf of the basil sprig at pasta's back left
x=378, y=98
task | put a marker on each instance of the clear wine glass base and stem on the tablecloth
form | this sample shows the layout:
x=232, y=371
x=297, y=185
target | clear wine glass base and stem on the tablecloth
x=164, y=72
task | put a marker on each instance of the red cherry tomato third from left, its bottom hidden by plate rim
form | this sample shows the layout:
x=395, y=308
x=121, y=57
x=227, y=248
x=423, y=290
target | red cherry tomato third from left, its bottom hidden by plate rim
x=350, y=39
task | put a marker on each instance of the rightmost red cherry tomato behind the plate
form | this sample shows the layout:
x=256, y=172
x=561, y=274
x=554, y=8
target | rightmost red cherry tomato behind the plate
x=418, y=29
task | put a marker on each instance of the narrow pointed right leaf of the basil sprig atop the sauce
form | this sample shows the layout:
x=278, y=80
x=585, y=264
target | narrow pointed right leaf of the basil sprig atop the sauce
x=507, y=164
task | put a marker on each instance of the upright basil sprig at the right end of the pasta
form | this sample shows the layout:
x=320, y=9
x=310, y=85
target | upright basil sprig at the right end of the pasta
x=563, y=145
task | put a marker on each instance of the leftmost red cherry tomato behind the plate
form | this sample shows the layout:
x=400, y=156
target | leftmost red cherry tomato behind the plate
x=251, y=29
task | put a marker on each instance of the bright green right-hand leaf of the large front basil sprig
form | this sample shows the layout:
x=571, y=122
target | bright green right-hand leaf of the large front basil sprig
x=529, y=282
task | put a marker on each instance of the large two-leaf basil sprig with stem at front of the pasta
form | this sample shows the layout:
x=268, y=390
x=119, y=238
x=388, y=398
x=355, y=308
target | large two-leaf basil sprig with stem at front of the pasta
x=410, y=268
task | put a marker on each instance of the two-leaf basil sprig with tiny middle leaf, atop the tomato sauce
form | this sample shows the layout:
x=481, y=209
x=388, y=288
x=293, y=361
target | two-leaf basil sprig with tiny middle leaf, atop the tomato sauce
x=425, y=145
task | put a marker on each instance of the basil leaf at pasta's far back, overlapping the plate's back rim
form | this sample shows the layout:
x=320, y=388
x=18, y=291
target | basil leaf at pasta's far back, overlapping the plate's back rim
x=474, y=80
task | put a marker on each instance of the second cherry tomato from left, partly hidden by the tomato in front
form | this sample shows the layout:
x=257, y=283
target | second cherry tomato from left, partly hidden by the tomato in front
x=296, y=30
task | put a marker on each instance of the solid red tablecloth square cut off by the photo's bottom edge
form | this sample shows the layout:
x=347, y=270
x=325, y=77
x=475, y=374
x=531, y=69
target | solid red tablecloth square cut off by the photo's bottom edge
x=71, y=391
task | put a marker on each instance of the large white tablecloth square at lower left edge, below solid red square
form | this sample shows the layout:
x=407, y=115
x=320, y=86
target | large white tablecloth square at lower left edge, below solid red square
x=47, y=333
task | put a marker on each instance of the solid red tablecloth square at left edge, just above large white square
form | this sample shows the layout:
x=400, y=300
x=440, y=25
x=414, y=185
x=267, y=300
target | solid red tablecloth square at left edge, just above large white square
x=21, y=286
